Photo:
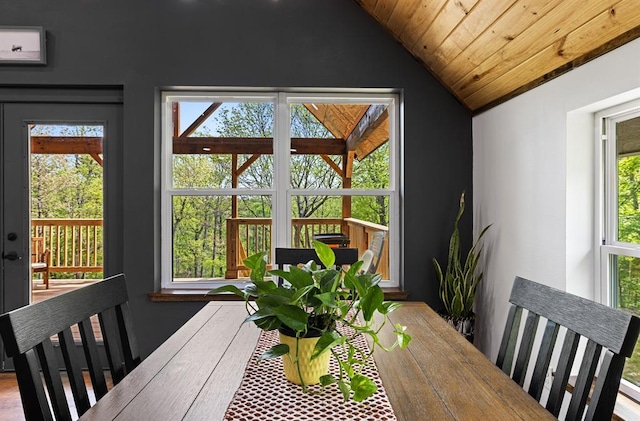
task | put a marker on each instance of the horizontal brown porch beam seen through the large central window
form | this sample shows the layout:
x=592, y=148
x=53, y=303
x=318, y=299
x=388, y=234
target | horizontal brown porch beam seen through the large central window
x=249, y=146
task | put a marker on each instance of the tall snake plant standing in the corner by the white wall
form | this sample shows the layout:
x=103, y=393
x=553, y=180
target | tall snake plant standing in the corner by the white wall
x=459, y=280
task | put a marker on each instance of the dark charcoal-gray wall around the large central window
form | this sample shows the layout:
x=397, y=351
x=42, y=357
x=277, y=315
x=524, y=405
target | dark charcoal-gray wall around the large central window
x=145, y=45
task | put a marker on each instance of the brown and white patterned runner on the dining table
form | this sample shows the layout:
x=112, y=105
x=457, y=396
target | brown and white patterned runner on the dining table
x=265, y=394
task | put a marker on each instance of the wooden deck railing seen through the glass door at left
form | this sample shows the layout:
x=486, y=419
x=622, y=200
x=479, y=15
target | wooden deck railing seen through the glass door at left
x=75, y=244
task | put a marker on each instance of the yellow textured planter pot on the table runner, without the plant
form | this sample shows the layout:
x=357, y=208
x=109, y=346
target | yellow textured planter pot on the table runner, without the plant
x=311, y=370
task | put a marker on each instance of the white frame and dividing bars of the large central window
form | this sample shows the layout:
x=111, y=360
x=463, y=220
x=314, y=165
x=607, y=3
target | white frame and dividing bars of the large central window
x=281, y=191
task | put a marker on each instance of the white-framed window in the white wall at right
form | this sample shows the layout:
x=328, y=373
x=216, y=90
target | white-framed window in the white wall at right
x=618, y=135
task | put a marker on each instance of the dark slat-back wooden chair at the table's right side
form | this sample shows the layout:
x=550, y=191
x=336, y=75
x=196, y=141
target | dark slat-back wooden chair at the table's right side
x=610, y=337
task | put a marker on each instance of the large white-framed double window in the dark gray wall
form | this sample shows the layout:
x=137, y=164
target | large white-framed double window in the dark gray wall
x=247, y=172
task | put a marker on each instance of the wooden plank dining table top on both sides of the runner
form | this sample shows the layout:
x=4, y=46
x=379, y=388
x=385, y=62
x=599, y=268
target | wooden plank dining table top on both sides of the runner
x=196, y=372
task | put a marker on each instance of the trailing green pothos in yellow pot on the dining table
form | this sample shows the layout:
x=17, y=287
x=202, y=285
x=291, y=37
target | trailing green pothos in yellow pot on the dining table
x=319, y=311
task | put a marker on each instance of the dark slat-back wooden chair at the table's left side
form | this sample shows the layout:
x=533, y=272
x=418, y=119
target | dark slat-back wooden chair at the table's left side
x=27, y=336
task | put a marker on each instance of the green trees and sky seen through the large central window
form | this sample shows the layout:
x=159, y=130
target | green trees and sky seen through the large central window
x=199, y=222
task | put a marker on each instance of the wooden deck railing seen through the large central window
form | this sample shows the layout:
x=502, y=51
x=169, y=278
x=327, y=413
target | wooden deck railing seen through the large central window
x=247, y=236
